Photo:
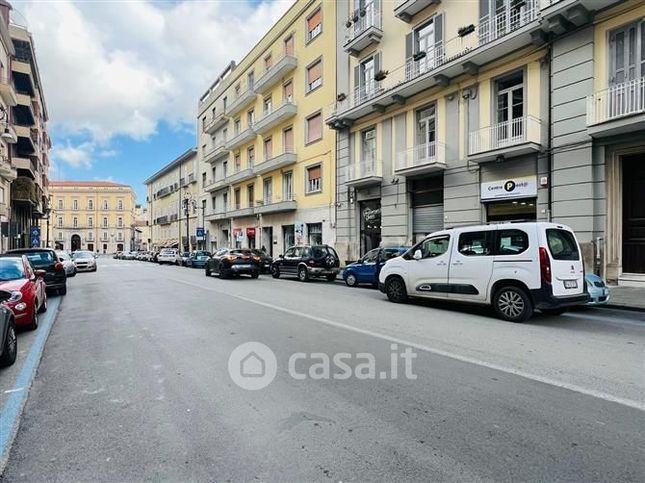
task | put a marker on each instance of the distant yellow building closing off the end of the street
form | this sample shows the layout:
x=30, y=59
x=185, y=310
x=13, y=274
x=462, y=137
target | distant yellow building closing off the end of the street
x=91, y=215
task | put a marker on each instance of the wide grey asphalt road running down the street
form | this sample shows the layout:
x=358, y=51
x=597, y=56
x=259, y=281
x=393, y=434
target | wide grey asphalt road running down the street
x=134, y=385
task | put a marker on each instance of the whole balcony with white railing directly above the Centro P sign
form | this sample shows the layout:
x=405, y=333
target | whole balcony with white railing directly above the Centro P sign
x=506, y=139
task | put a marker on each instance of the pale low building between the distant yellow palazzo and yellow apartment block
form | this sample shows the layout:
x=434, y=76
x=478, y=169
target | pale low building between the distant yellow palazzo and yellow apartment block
x=170, y=190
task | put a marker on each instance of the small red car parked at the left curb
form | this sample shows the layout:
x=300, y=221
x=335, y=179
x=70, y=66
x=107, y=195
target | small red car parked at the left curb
x=27, y=289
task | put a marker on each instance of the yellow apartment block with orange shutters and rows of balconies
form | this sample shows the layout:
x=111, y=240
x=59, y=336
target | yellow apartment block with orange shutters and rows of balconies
x=266, y=161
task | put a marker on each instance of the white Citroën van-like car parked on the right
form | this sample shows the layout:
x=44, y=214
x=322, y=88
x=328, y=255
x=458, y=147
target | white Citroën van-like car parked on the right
x=515, y=267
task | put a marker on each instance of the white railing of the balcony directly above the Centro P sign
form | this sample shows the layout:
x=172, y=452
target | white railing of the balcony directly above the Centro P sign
x=505, y=134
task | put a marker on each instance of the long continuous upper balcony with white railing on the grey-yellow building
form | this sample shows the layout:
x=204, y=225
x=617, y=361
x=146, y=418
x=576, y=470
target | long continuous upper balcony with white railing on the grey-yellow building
x=492, y=39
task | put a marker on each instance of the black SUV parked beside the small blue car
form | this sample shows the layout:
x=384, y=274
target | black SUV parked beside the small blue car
x=307, y=261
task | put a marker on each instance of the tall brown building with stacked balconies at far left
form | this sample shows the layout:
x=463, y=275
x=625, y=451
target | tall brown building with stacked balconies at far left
x=29, y=154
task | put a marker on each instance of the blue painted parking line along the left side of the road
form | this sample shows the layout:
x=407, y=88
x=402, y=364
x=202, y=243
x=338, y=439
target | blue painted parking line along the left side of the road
x=12, y=409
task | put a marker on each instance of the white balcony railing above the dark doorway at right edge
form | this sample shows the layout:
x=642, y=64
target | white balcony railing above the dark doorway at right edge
x=617, y=101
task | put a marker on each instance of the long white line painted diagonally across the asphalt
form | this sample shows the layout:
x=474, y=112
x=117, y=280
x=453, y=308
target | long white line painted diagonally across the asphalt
x=470, y=360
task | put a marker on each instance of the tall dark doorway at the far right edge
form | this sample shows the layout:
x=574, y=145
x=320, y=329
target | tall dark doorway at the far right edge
x=633, y=260
